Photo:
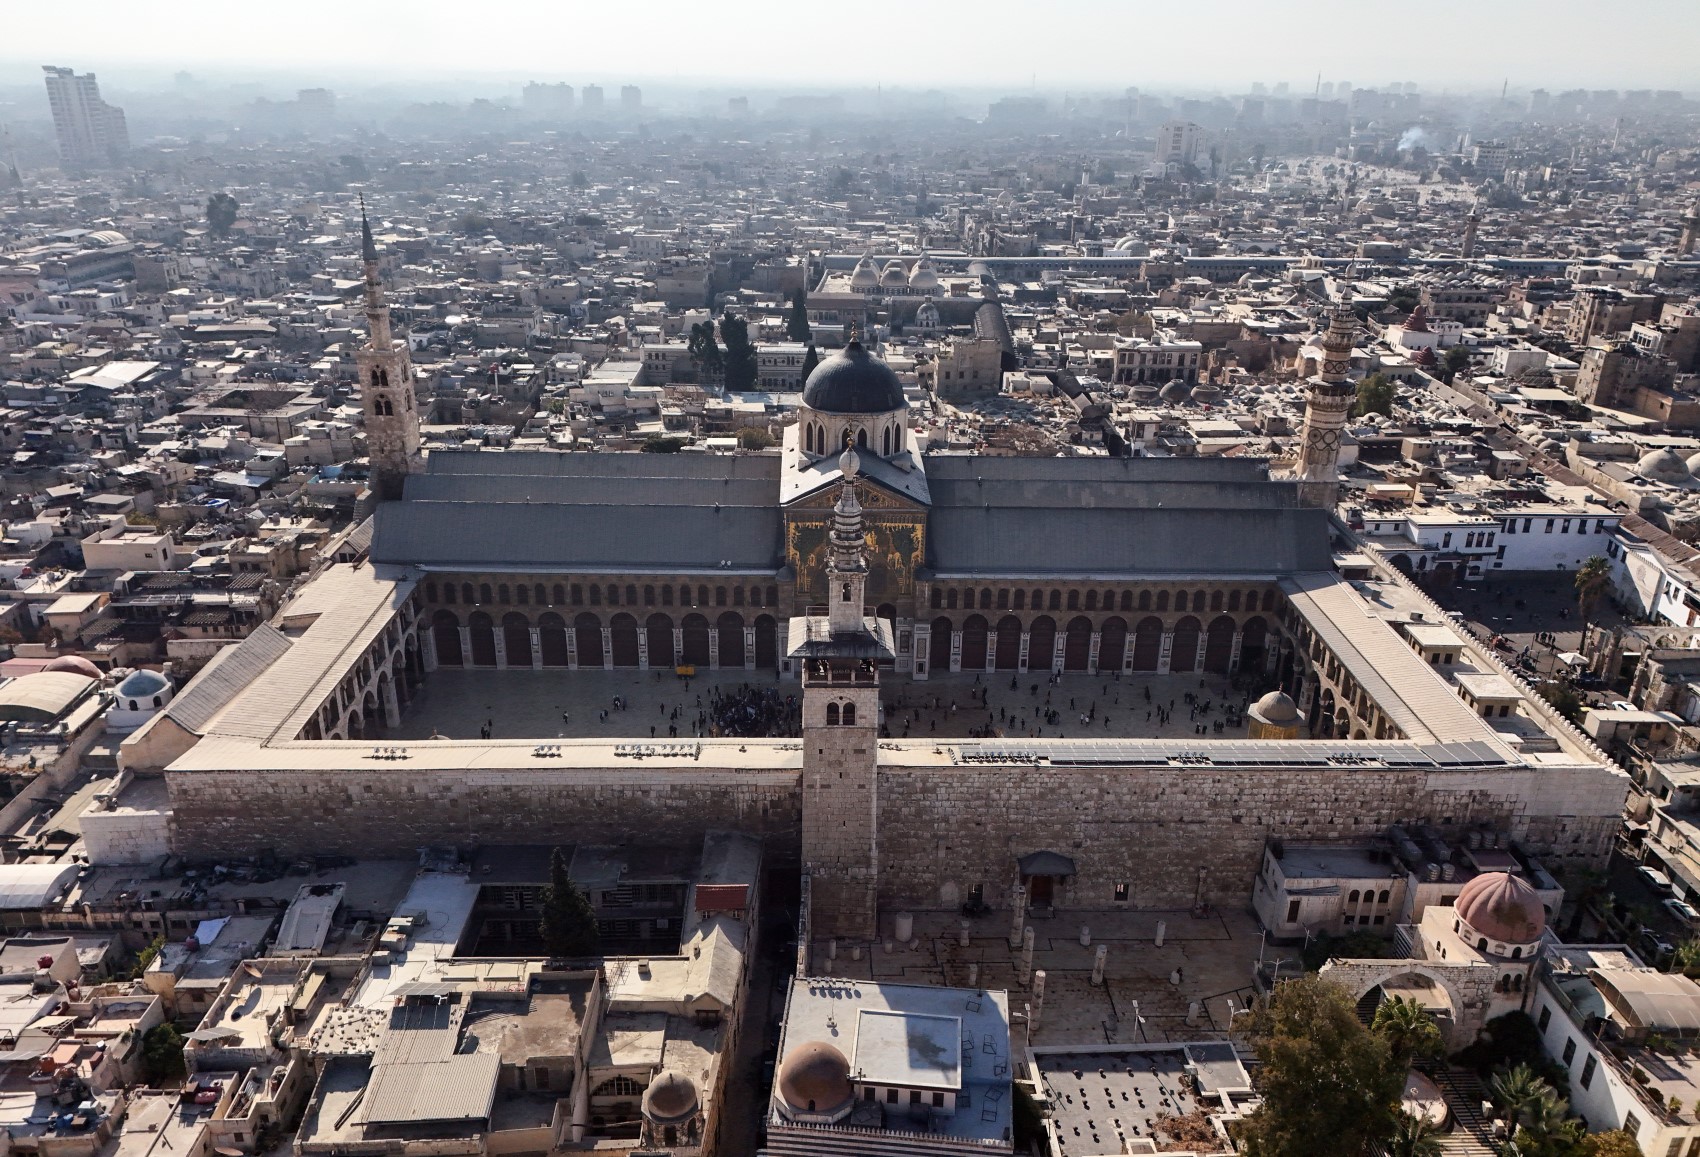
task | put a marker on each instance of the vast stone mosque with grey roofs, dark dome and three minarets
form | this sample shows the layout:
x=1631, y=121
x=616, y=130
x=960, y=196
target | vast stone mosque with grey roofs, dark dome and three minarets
x=842, y=563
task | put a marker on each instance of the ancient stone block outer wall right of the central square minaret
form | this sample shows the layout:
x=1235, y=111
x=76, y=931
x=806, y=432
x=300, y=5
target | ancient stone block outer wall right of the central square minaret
x=946, y=832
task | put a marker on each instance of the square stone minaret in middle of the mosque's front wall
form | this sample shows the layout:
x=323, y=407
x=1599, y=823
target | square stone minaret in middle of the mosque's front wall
x=839, y=655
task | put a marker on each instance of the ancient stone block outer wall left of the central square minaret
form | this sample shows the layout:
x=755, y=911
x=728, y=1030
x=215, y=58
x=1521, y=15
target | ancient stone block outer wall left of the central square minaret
x=395, y=813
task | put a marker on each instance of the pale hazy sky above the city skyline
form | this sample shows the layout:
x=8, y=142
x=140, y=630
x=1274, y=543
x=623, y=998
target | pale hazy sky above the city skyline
x=1075, y=45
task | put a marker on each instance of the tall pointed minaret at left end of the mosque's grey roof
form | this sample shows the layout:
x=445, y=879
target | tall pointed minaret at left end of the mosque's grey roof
x=387, y=387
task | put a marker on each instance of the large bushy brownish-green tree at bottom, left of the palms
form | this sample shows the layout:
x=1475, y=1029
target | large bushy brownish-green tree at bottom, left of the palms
x=1330, y=1086
